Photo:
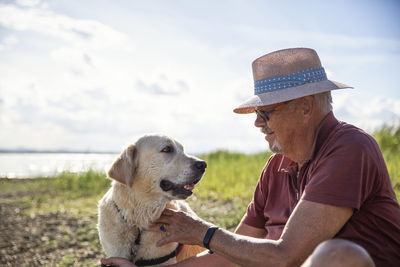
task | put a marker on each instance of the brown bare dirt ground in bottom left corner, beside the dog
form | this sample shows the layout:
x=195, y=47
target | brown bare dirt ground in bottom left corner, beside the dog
x=52, y=239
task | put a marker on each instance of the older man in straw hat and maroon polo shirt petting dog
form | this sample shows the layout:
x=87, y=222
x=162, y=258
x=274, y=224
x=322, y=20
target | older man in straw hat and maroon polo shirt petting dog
x=324, y=197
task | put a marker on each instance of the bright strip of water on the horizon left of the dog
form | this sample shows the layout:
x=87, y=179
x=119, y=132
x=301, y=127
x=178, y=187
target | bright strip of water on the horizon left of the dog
x=31, y=165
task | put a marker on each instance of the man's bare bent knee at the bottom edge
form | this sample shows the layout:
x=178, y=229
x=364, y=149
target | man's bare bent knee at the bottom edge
x=339, y=252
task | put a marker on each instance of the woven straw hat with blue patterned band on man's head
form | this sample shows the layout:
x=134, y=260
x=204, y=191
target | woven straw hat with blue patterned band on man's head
x=285, y=75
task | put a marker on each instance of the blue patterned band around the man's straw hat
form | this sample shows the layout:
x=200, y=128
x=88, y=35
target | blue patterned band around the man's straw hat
x=291, y=80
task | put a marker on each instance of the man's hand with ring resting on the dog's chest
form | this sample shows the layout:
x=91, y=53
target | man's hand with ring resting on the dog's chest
x=180, y=227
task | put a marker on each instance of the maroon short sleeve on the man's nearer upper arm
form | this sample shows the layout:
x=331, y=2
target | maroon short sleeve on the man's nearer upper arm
x=346, y=175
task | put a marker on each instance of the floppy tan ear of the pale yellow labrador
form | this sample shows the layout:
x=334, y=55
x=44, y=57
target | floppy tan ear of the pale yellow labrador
x=124, y=168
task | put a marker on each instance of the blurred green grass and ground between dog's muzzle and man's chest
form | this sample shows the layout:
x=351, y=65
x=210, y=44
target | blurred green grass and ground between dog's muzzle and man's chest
x=227, y=187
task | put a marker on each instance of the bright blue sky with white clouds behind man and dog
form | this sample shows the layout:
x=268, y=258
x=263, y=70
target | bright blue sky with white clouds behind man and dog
x=95, y=75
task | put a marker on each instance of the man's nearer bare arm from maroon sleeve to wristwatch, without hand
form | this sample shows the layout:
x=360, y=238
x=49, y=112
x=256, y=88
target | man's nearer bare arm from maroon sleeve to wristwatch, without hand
x=310, y=224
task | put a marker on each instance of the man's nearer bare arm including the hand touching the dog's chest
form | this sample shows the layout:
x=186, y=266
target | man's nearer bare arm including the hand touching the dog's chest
x=310, y=224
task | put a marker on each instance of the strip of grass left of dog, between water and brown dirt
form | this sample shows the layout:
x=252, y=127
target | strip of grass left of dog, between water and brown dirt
x=77, y=194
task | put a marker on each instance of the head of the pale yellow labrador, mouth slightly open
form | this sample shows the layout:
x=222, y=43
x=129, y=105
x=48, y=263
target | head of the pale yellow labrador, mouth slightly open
x=157, y=164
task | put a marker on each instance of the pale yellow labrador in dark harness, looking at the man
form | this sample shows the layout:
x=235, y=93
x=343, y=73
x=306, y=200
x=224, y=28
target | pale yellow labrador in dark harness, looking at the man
x=149, y=175
